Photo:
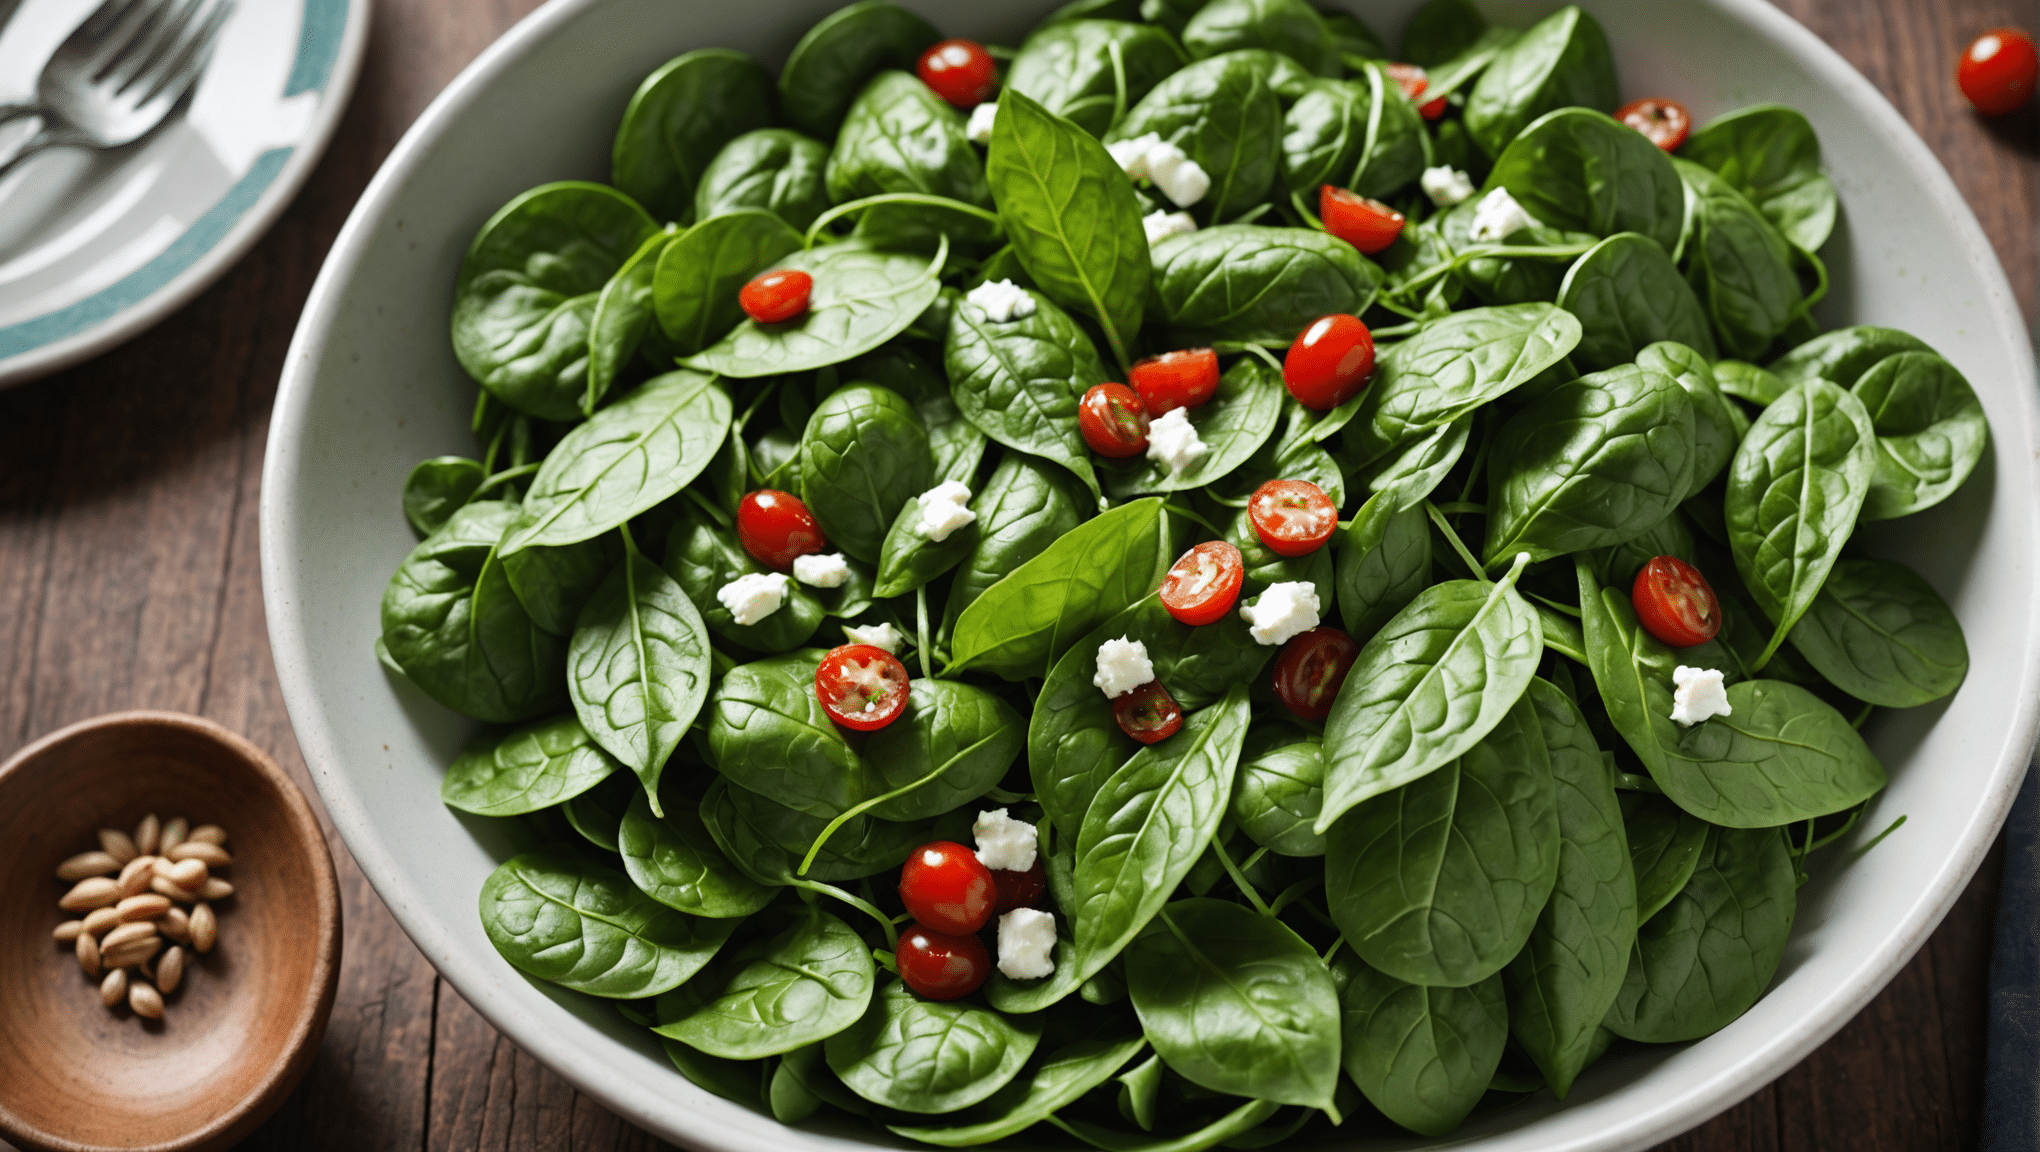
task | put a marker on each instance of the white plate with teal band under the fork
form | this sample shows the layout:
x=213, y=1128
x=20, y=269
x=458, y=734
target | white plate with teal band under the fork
x=95, y=248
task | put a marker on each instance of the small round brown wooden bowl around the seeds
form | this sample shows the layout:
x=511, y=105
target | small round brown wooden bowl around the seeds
x=246, y=1023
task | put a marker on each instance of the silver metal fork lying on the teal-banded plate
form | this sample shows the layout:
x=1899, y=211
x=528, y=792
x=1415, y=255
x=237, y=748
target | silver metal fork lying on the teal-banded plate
x=119, y=74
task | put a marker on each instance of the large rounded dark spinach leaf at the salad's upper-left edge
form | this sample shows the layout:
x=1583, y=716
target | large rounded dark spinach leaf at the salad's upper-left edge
x=529, y=289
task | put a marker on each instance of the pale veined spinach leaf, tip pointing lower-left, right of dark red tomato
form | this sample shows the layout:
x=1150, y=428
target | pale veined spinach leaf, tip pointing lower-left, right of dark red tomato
x=1427, y=688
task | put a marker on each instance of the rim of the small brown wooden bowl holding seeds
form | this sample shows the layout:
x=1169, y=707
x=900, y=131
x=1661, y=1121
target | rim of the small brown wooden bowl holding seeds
x=309, y=1027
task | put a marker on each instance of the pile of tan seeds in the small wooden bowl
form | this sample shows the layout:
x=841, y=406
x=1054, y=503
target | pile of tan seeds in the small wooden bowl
x=138, y=892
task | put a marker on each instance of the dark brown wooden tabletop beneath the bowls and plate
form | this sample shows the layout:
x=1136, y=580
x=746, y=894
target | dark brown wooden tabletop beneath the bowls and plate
x=130, y=580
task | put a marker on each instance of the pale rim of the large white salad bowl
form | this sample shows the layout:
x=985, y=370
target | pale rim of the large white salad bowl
x=582, y=1065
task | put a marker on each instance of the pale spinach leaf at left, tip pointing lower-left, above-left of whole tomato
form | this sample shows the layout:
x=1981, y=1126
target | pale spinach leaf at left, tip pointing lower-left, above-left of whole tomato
x=623, y=462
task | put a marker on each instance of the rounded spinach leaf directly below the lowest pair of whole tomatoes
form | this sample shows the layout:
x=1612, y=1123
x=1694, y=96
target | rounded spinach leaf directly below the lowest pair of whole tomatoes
x=931, y=1057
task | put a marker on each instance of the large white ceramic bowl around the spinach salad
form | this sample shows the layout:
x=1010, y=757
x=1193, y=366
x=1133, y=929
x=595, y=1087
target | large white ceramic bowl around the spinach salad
x=372, y=386
